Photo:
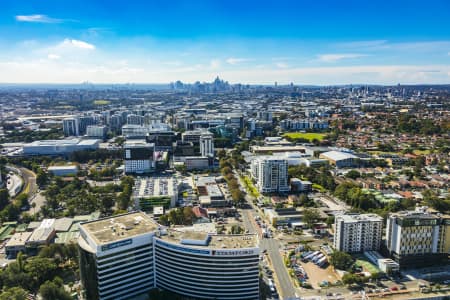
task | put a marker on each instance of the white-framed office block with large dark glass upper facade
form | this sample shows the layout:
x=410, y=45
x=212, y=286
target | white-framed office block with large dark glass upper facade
x=139, y=156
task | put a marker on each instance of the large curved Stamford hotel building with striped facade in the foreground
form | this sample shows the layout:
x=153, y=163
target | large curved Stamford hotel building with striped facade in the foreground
x=127, y=255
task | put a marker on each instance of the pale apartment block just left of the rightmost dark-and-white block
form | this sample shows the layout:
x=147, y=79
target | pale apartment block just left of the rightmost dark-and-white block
x=358, y=232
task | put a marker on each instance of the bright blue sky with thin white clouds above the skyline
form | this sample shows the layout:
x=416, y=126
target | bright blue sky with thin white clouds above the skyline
x=256, y=42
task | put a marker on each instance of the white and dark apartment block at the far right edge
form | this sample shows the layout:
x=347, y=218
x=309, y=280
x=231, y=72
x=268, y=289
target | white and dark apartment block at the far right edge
x=418, y=237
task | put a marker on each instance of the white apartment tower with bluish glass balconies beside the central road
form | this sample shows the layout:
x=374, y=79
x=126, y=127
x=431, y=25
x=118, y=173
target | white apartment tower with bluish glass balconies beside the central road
x=270, y=173
